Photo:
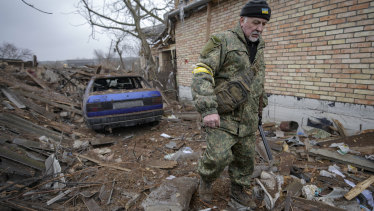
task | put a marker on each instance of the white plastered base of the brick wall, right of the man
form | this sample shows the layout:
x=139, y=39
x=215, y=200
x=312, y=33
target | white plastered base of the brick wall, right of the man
x=286, y=108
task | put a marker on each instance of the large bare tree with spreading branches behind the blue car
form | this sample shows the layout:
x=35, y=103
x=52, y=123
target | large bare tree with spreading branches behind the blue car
x=129, y=18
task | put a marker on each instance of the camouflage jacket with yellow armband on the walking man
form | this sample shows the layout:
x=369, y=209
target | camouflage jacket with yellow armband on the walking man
x=225, y=56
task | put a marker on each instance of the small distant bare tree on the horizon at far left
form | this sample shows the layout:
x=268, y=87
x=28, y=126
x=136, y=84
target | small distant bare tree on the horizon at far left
x=10, y=51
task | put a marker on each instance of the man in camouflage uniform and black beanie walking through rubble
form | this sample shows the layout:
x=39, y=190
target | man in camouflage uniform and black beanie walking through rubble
x=228, y=91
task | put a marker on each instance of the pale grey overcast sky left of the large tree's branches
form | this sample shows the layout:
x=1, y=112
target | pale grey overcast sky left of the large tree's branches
x=59, y=36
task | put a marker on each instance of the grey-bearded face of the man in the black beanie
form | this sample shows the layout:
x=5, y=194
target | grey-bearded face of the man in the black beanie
x=252, y=27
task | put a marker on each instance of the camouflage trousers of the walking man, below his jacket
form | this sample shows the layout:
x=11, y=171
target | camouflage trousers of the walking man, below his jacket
x=224, y=149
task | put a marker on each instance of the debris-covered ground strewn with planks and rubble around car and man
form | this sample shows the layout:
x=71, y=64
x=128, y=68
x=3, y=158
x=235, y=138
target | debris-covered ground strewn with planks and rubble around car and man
x=50, y=160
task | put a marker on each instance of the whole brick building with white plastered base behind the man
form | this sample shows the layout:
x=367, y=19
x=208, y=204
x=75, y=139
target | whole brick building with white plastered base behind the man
x=319, y=55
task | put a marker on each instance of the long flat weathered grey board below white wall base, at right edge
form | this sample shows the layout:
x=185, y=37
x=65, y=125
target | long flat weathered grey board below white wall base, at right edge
x=346, y=159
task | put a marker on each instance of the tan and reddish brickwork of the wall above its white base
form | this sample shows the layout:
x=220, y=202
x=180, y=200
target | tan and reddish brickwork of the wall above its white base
x=319, y=49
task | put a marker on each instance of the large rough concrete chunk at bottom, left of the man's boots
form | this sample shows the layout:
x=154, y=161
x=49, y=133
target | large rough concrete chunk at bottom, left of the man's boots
x=172, y=195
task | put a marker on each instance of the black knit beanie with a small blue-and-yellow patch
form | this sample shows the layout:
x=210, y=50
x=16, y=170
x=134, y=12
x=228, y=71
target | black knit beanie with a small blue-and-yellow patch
x=256, y=8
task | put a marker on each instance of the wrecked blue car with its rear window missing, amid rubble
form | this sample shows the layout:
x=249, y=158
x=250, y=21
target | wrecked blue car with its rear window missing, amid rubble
x=120, y=101
